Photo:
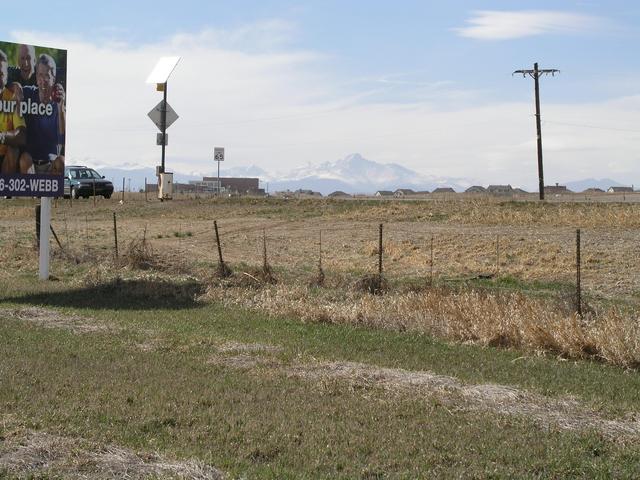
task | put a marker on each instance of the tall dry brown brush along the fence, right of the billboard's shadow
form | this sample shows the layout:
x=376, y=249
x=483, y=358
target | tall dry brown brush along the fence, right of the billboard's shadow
x=501, y=320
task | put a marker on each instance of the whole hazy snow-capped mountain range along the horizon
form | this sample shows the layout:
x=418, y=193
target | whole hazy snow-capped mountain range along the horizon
x=352, y=174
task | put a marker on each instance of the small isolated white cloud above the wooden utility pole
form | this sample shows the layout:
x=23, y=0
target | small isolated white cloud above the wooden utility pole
x=504, y=25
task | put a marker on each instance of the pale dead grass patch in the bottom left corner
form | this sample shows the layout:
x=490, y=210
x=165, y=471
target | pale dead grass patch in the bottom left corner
x=36, y=454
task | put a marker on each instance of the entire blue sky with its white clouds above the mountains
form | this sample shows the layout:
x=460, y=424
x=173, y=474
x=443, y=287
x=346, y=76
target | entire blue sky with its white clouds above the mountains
x=422, y=83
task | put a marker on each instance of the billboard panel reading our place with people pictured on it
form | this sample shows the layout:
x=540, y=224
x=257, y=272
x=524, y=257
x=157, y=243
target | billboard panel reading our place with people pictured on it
x=32, y=120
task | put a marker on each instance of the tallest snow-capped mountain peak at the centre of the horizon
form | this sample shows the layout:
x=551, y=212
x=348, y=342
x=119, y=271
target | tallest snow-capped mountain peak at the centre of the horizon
x=355, y=174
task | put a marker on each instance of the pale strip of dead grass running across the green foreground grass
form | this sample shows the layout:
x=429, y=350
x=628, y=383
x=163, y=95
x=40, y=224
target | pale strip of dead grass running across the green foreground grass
x=564, y=414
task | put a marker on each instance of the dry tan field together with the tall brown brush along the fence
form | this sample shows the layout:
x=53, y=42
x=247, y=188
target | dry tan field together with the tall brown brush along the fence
x=490, y=256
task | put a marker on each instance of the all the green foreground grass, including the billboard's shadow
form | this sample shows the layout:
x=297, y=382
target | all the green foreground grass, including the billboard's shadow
x=265, y=424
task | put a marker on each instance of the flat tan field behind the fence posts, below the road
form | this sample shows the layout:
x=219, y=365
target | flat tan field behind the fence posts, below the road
x=487, y=239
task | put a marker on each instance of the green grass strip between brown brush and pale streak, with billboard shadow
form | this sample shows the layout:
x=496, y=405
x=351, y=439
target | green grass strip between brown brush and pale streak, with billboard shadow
x=191, y=322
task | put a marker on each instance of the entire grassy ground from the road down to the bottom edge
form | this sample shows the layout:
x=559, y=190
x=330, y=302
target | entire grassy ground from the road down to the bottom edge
x=184, y=361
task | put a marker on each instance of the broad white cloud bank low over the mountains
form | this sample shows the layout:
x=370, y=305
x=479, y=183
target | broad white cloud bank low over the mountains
x=280, y=110
